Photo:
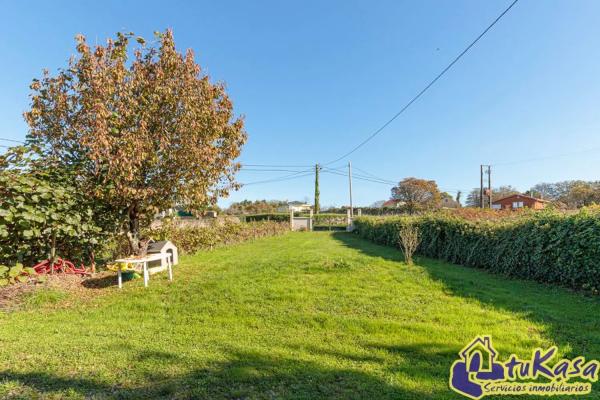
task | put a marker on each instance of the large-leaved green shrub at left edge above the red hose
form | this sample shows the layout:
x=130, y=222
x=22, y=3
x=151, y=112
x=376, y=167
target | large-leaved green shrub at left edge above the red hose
x=37, y=216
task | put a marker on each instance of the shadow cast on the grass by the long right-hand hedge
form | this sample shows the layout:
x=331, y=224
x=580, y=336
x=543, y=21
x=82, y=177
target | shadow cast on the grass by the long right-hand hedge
x=570, y=318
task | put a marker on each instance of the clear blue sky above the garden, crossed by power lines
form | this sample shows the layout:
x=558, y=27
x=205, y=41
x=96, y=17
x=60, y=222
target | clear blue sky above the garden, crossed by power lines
x=314, y=78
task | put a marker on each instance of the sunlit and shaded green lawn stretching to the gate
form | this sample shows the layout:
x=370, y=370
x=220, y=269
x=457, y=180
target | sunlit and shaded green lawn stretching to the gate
x=302, y=316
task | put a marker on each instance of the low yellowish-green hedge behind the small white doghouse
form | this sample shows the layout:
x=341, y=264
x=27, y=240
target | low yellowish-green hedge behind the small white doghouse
x=191, y=239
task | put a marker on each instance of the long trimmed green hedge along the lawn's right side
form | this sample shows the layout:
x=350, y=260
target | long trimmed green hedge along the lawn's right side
x=545, y=246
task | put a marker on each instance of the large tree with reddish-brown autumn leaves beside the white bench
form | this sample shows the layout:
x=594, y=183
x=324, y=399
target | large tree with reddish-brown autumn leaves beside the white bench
x=143, y=129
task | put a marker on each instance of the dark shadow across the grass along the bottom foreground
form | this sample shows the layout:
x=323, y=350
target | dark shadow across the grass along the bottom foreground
x=245, y=375
